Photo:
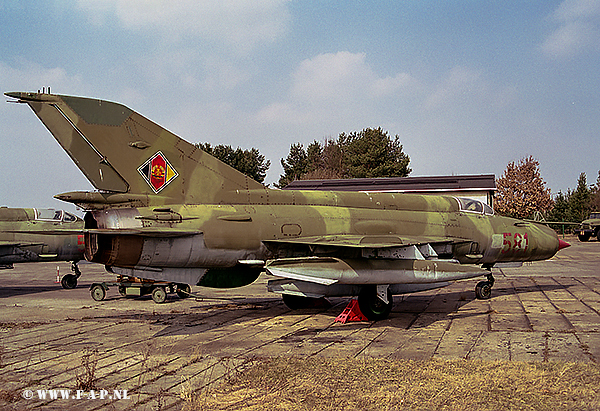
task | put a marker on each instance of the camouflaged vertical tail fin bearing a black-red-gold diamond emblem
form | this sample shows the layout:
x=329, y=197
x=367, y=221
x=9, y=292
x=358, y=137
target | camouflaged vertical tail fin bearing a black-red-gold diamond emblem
x=121, y=151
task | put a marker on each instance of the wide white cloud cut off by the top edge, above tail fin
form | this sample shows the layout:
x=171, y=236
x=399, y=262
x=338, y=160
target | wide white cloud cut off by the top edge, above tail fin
x=241, y=24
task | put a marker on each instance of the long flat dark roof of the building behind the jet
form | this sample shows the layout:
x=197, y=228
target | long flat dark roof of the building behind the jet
x=482, y=182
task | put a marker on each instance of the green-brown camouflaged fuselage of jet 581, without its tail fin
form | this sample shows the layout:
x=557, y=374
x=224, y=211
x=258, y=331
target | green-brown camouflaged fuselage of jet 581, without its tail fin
x=281, y=224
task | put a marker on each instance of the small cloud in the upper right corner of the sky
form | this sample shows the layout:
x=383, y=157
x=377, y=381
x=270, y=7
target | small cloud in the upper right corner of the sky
x=578, y=29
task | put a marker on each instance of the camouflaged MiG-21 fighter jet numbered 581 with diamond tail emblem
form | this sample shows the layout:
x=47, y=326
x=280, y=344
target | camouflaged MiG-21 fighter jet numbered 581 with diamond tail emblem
x=166, y=210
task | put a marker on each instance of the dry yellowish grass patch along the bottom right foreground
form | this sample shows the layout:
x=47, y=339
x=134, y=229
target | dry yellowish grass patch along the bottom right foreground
x=377, y=384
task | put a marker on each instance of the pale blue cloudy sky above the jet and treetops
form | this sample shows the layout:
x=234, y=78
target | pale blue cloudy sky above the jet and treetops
x=467, y=85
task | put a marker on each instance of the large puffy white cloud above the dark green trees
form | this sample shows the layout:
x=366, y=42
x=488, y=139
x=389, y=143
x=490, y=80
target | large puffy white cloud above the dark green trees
x=342, y=87
